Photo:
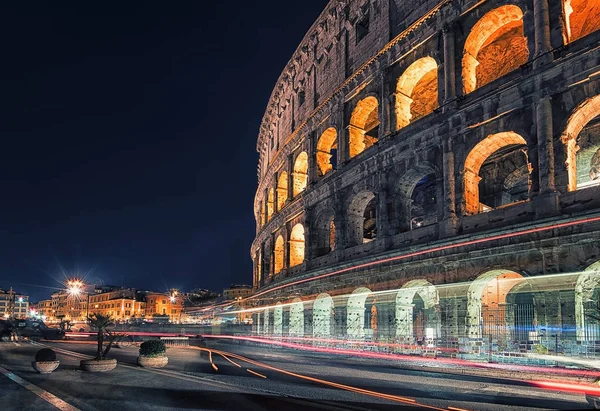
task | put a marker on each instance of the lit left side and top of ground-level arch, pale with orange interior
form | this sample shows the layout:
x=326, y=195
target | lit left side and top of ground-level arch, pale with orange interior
x=484, y=309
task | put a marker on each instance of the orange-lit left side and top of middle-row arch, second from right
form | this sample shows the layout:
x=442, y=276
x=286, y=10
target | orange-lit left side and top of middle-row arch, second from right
x=475, y=160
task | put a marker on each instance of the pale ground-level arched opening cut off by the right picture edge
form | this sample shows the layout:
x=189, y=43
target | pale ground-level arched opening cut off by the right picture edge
x=587, y=304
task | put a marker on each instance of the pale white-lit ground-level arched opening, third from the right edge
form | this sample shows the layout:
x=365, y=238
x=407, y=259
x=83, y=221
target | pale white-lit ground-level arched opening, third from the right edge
x=417, y=312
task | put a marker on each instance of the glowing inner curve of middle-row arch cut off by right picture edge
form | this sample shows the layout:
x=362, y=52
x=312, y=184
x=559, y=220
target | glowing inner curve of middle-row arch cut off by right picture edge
x=580, y=118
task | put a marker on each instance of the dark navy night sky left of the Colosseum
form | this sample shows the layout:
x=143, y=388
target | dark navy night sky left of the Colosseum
x=128, y=138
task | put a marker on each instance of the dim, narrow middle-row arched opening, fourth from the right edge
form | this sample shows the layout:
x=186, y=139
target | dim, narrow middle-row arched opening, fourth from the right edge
x=362, y=219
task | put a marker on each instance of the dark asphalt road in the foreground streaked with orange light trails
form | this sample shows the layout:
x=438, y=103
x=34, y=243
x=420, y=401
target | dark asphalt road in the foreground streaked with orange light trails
x=225, y=376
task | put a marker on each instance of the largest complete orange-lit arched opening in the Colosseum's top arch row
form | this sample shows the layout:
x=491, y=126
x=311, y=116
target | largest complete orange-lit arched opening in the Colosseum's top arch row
x=495, y=46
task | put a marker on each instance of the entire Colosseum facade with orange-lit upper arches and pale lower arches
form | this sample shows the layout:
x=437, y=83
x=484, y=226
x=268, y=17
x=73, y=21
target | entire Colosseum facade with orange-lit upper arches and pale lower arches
x=429, y=176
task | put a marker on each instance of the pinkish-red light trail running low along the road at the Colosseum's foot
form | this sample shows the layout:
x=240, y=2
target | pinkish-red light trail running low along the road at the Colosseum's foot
x=409, y=358
